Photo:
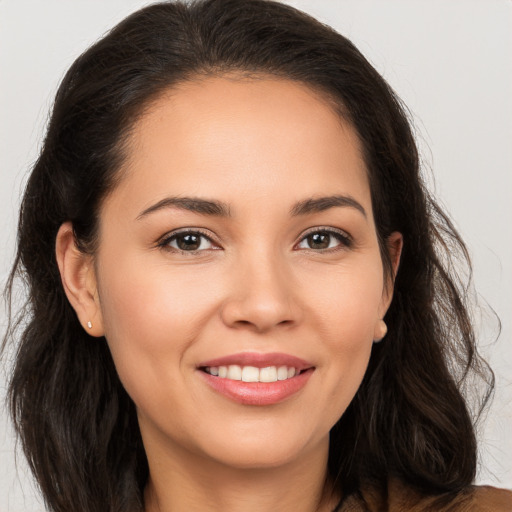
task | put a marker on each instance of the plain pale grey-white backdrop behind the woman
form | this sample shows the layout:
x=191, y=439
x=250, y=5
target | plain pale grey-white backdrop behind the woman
x=451, y=63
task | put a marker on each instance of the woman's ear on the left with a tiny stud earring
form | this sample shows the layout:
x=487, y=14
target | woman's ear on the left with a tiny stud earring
x=79, y=280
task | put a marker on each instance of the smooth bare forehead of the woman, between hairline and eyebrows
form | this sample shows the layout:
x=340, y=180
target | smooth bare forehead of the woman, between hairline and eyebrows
x=235, y=136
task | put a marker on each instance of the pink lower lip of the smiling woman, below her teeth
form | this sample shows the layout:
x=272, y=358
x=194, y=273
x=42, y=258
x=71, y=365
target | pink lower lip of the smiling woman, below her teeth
x=258, y=393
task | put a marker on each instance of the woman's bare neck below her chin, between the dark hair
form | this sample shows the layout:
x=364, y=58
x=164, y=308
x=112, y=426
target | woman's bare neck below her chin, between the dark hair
x=185, y=482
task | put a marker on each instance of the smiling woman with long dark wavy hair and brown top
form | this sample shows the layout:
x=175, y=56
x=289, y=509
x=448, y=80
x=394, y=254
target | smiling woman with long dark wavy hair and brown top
x=228, y=199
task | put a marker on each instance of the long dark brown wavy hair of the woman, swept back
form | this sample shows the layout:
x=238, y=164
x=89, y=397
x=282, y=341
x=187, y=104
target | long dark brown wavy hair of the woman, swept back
x=409, y=419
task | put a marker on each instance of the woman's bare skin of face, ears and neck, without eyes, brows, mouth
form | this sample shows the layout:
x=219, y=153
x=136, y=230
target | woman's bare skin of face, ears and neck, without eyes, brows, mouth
x=259, y=146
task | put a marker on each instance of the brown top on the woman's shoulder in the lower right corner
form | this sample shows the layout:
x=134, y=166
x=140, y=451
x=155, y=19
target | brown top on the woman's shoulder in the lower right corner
x=398, y=498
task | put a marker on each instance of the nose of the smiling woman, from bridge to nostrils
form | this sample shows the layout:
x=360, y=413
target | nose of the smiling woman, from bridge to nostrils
x=262, y=295
